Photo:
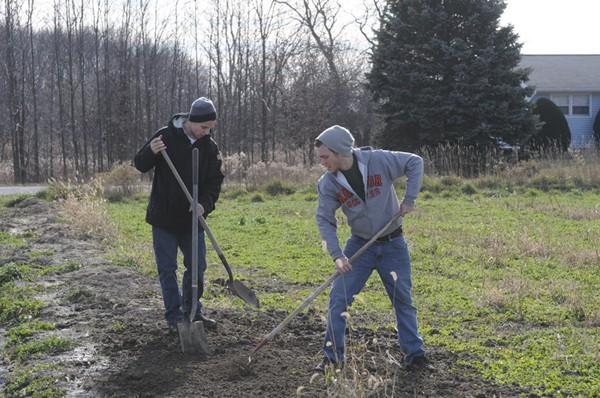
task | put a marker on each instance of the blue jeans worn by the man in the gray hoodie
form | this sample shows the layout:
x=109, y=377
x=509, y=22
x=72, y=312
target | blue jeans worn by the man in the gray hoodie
x=384, y=257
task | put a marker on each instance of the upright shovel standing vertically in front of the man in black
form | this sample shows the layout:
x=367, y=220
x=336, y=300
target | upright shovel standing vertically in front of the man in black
x=191, y=334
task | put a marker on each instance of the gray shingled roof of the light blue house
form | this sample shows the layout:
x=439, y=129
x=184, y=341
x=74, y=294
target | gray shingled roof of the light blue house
x=563, y=72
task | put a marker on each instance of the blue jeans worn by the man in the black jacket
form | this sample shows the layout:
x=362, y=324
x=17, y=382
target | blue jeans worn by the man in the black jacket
x=165, y=244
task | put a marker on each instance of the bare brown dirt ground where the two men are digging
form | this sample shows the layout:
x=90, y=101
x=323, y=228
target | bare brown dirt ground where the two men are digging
x=123, y=348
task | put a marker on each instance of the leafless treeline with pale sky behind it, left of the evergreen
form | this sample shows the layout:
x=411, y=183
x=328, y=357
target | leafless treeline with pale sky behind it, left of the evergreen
x=86, y=83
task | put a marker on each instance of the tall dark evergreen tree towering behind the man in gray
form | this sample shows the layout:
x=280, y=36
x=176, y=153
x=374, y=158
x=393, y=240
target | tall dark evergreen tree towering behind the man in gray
x=446, y=72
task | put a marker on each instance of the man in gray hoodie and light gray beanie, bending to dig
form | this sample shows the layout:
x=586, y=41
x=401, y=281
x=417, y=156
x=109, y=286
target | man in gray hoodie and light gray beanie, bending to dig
x=360, y=181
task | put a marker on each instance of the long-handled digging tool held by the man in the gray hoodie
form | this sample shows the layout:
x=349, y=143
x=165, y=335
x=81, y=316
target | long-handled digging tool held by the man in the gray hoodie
x=245, y=366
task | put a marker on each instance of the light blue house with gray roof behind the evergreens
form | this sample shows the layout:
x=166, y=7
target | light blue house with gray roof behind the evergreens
x=572, y=82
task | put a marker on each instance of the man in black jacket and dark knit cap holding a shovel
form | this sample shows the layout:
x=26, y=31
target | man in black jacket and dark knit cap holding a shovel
x=169, y=211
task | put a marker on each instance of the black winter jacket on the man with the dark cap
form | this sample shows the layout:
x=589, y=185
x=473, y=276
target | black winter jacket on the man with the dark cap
x=168, y=207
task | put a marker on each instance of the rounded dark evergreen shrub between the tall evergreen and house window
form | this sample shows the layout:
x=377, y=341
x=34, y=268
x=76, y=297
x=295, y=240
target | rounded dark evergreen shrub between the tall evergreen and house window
x=555, y=131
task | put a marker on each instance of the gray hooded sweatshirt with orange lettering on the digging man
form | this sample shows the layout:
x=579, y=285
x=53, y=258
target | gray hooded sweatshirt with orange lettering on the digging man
x=379, y=169
